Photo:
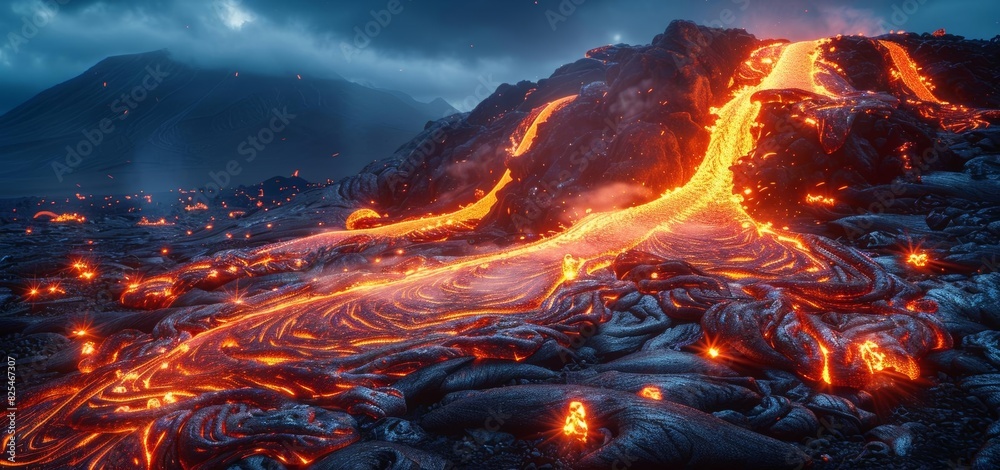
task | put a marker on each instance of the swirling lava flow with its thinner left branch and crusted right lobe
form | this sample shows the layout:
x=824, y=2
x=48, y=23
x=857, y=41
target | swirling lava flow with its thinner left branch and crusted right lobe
x=282, y=374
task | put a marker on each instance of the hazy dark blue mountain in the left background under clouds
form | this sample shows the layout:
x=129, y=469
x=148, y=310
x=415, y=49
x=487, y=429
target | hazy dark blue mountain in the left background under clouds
x=148, y=122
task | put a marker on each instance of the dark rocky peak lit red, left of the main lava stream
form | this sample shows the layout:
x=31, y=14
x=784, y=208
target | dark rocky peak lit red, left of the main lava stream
x=598, y=155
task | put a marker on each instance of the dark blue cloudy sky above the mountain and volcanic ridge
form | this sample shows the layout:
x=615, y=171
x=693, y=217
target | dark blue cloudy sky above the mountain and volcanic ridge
x=427, y=49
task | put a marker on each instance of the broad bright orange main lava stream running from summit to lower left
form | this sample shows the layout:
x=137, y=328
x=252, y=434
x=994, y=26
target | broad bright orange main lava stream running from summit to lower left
x=321, y=349
